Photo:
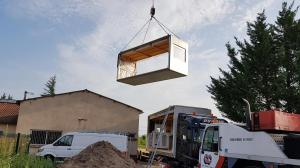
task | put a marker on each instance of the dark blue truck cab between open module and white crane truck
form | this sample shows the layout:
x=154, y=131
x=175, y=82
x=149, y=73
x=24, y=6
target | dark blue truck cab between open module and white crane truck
x=189, y=136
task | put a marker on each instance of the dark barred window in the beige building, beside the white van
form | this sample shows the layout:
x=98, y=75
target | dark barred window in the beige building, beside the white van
x=44, y=137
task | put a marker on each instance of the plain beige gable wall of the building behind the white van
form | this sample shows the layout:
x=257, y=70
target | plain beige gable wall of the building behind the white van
x=79, y=111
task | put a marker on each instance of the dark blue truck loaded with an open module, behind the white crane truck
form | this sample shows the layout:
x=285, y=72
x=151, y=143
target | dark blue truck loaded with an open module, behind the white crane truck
x=181, y=135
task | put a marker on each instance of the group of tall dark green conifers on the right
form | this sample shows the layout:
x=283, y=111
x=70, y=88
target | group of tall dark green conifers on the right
x=264, y=69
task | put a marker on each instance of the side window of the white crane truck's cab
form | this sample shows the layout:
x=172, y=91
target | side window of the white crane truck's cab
x=211, y=139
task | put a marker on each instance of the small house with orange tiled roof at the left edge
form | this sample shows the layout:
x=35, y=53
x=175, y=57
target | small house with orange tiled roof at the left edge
x=9, y=110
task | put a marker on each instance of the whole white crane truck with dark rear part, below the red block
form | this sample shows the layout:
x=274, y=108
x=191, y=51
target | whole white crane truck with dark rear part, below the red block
x=232, y=146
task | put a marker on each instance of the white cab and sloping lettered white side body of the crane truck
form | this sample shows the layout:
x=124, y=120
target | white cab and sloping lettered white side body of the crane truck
x=228, y=141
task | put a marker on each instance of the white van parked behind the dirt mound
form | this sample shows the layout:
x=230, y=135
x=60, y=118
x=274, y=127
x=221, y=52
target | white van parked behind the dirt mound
x=70, y=144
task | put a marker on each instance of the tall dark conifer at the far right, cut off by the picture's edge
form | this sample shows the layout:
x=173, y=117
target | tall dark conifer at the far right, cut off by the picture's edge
x=287, y=37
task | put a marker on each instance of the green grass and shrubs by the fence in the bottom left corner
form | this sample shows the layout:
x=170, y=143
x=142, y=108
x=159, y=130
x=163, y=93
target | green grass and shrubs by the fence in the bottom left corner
x=9, y=159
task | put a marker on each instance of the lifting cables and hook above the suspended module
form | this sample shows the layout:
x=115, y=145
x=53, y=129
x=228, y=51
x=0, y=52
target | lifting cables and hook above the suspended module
x=164, y=28
